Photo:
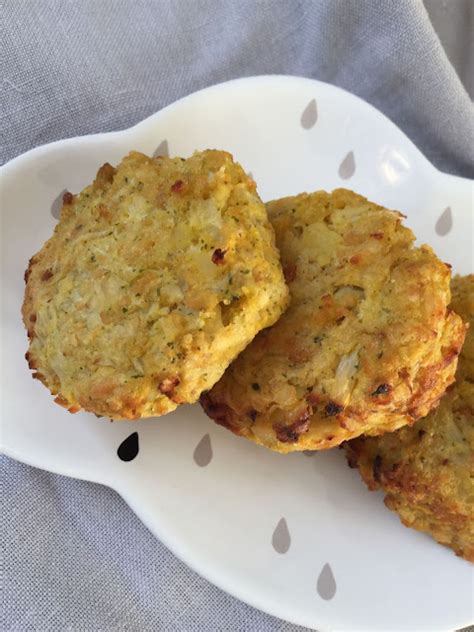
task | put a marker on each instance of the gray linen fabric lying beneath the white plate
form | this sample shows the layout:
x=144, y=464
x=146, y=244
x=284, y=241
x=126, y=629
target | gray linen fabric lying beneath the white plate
x=75, y=556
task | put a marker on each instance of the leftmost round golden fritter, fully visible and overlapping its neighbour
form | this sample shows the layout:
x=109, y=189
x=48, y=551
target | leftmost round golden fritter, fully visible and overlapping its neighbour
x=156, y=277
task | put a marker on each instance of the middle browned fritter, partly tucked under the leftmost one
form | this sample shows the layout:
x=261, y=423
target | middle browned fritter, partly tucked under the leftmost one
x=367, y=344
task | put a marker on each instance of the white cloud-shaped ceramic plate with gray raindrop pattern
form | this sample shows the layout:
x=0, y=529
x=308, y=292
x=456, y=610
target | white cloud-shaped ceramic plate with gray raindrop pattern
x=298, y=537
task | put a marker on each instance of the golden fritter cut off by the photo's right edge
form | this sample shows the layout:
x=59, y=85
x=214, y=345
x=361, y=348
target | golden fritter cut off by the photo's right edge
x=426, y=470
